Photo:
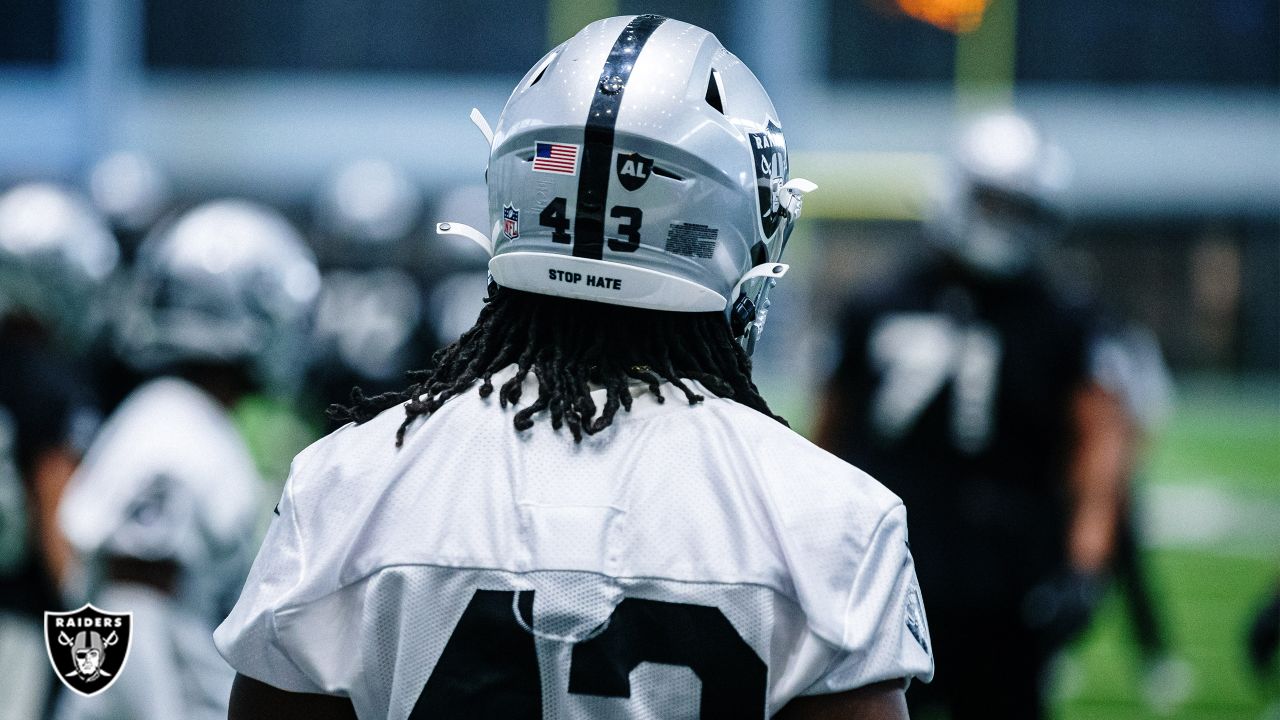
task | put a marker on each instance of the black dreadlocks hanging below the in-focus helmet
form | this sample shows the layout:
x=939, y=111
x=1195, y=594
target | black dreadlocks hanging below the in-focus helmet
x=572, y=345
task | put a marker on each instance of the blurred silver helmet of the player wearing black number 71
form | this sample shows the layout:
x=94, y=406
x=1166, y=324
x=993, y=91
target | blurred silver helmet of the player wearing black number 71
x=1000, y=199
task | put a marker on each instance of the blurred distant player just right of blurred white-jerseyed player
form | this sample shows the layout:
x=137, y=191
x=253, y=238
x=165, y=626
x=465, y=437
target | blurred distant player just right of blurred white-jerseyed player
x=371, y=323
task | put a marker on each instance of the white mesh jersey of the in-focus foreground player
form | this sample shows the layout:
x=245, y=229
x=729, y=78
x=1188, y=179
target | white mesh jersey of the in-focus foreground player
x=689, y=562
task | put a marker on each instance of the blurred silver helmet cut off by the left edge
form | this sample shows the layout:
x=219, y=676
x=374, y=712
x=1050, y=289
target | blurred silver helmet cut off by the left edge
x=56, y=256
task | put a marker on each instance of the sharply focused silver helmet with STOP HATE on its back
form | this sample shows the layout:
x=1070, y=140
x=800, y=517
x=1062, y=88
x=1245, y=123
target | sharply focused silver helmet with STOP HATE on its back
x=642, y=165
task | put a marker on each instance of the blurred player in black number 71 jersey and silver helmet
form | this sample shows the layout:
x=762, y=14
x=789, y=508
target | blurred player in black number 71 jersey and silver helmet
x=967, y=386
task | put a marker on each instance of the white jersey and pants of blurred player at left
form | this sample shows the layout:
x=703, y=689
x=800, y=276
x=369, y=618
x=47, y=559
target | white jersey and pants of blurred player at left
x=168, y=479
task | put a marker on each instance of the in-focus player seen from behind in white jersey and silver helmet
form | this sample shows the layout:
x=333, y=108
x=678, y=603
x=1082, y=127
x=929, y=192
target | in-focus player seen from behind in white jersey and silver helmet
x=586, y=509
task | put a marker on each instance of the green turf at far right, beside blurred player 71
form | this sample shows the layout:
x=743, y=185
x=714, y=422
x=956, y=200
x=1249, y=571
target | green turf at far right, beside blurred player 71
x=1223, y=439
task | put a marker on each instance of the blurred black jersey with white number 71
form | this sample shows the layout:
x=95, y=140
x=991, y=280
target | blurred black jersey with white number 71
x=957, y=395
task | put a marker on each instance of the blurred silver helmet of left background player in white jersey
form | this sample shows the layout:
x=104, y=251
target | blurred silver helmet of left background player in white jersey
x=228, y=281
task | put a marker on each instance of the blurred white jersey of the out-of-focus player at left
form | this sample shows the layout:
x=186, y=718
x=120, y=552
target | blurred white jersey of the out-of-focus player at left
x=170, y=479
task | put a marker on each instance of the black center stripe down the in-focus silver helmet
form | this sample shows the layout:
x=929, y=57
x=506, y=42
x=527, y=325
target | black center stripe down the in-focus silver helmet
x=593, y=184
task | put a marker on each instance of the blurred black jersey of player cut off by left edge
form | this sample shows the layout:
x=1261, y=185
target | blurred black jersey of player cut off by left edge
x=44, y=405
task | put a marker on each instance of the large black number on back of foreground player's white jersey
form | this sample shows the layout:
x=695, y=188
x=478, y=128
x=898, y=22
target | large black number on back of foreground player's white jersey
x=490, y=666
